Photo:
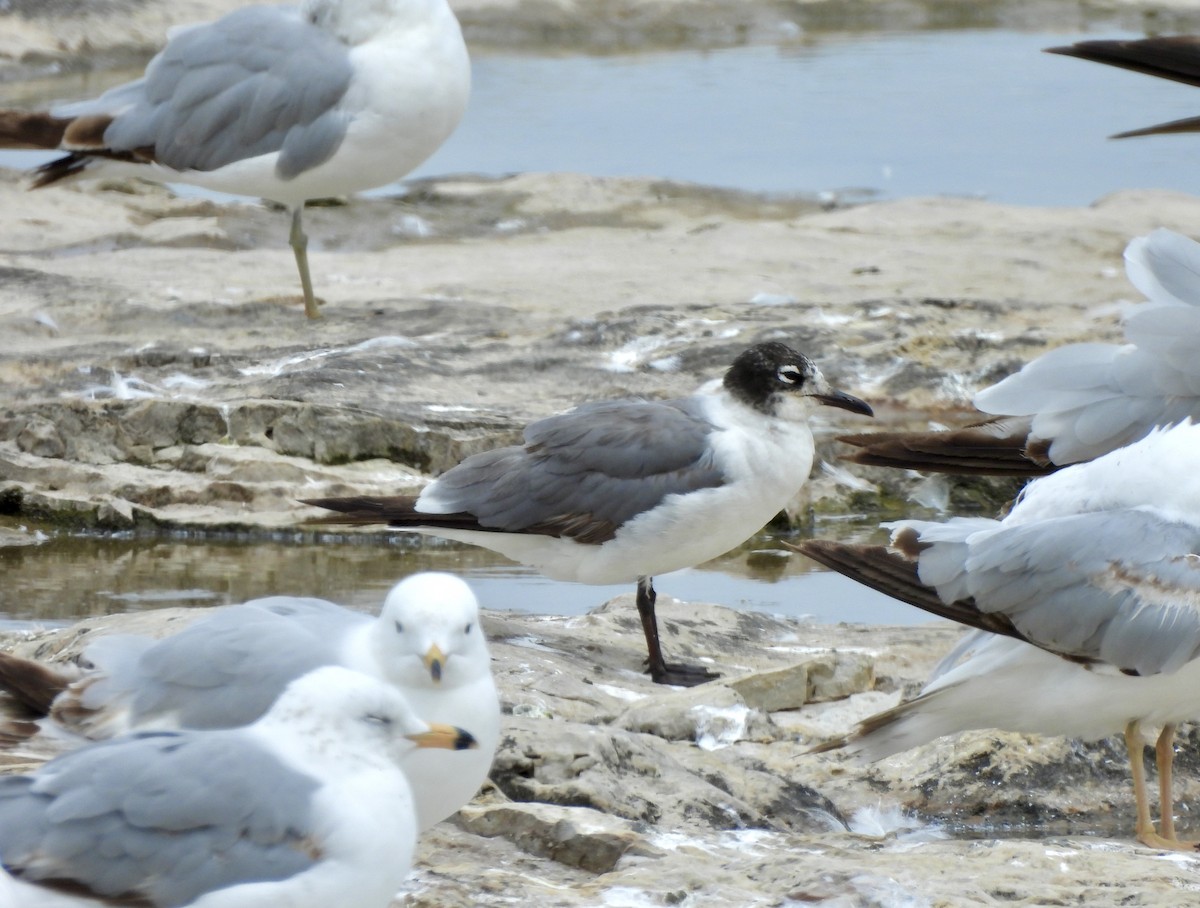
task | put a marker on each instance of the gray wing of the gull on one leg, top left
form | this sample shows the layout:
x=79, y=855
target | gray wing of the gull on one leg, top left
x=257, y=81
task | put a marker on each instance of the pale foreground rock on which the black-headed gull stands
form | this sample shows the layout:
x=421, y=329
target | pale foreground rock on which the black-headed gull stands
x=608, y=790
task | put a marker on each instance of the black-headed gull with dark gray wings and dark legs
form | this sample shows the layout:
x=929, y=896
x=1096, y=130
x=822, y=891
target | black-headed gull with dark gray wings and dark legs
x=620, y=491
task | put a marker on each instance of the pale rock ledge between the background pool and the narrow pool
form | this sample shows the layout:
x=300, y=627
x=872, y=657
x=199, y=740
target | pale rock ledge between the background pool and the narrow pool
x=157, y=380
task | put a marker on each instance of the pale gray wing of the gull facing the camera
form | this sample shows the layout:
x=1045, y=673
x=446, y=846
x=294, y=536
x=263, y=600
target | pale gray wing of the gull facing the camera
x=224, y=671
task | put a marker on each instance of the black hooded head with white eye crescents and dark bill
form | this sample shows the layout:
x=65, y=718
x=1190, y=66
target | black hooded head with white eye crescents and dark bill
x=779, y=382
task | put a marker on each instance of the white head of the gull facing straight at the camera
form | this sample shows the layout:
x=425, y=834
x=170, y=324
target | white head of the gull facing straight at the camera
x=429, y=634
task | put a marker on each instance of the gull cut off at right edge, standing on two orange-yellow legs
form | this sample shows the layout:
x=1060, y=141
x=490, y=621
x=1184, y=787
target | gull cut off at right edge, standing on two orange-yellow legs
x=1087, y=599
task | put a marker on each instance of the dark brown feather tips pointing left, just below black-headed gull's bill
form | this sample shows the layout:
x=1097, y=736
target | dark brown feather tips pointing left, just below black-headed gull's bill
x=998, y=448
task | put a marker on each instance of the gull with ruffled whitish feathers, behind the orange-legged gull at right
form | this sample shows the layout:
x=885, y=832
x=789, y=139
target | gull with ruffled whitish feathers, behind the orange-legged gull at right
x=1084, y=400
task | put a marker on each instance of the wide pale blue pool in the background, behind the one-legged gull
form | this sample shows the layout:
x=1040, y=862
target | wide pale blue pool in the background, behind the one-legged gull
x=963, y=113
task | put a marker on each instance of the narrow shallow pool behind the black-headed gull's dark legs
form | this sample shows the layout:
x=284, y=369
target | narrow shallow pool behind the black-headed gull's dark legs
x=75, y=576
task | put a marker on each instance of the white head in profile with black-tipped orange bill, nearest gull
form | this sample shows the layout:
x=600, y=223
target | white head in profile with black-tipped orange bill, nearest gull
x=338, y=709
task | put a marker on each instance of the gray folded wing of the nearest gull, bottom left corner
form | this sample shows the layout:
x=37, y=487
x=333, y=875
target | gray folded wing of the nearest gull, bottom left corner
x=158, y=817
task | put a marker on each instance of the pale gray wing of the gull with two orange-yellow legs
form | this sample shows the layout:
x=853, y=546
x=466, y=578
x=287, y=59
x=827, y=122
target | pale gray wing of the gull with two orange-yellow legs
x=1117, y=587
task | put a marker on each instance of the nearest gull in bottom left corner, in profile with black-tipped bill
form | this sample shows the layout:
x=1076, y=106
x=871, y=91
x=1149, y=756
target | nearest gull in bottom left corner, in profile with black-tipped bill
x=308, y=808
